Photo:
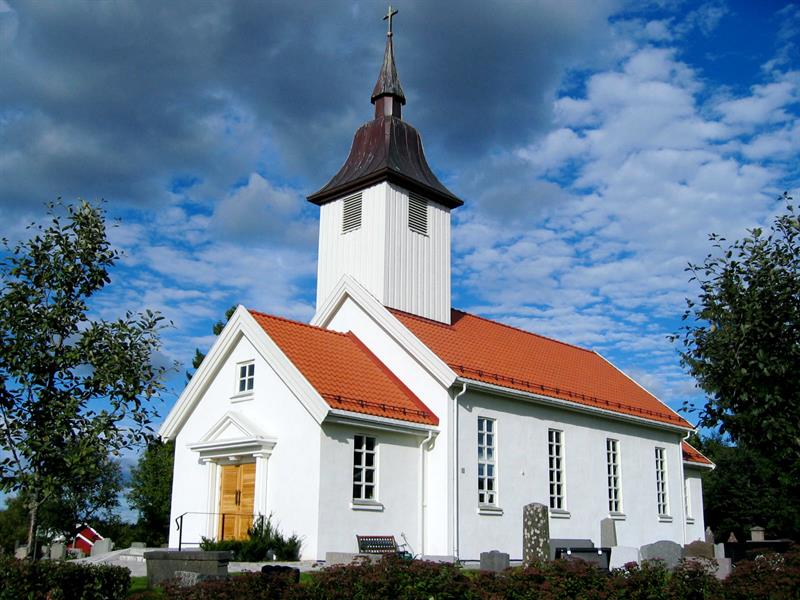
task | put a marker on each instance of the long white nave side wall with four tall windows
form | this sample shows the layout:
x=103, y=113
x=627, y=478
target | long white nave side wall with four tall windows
x=523, y=477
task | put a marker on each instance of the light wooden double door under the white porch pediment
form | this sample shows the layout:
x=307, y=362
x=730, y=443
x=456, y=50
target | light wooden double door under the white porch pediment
x=236, y=500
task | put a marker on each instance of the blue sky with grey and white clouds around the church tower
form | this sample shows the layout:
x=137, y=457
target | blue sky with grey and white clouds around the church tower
x=595, y=144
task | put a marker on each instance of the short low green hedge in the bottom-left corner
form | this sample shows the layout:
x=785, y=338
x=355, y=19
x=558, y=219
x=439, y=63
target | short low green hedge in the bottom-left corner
x=48, y=580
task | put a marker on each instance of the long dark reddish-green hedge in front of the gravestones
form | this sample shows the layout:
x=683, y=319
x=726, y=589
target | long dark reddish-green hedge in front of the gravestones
x=774, y=577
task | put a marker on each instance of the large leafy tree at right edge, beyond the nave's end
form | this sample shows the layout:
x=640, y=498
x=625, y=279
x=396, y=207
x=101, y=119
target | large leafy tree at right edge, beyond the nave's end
x=742, y=339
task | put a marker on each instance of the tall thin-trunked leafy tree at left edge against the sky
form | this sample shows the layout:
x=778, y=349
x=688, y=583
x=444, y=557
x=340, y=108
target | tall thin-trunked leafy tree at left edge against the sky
x=71, y=387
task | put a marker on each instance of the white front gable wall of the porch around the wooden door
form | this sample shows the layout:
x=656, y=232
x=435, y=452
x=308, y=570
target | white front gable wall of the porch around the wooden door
x=292, y=482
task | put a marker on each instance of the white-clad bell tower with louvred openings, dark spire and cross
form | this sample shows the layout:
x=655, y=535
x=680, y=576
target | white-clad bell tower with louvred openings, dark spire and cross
x=385, y=217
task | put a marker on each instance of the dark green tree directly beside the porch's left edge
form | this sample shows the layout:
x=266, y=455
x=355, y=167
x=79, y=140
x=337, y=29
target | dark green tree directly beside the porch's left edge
x=151, y=490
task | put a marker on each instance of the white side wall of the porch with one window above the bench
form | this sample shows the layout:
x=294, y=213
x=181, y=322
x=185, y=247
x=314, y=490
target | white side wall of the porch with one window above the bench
x=397, y=491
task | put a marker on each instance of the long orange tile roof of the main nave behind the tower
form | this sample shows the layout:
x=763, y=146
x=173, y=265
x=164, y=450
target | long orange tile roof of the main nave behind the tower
x=483, y=350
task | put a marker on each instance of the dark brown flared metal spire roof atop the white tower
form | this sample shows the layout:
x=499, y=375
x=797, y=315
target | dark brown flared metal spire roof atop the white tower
x=387, y=148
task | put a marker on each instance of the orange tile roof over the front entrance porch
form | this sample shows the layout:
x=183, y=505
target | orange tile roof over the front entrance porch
x=344, y=372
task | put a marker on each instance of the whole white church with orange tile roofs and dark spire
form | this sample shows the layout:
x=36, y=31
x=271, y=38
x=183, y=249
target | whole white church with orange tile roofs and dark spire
x=392, y=413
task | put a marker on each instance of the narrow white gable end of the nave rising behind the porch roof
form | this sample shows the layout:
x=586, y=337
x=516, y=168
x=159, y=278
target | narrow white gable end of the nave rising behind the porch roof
x=438, y=477
